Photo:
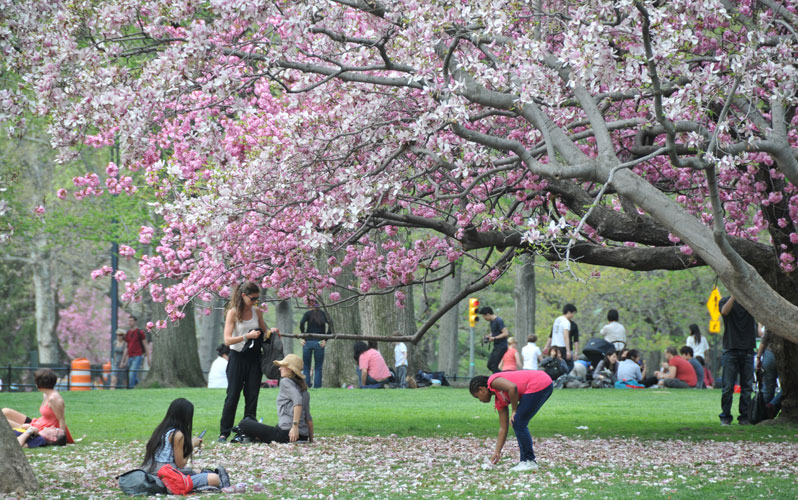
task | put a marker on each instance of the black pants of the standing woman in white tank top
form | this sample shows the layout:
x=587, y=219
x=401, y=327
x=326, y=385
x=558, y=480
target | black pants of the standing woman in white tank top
x=243, y=372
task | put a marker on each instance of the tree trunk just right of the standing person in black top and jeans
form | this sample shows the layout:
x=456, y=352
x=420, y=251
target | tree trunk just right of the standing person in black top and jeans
x=339, y=364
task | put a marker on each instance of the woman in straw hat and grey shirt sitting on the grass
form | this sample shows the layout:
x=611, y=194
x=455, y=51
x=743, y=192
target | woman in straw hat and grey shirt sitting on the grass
x=294, y=422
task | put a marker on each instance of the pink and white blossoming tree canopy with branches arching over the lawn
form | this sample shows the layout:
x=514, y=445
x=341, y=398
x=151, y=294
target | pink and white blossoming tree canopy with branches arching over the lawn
x=636, y=134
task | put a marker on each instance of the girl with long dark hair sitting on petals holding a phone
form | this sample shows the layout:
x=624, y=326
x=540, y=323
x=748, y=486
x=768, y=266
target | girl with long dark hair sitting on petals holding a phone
x=171, y=443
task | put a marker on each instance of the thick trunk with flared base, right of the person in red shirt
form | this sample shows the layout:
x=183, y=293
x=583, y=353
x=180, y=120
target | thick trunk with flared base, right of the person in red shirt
x=175, y=362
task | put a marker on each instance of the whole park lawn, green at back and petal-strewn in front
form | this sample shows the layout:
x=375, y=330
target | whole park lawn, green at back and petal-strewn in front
x=434, y=443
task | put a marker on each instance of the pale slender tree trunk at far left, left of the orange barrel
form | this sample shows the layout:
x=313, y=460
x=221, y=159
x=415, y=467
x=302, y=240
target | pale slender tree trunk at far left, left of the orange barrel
x=46, y=309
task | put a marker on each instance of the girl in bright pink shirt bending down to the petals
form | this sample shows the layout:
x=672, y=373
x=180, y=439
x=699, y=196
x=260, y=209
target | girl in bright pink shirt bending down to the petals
x=525, y=391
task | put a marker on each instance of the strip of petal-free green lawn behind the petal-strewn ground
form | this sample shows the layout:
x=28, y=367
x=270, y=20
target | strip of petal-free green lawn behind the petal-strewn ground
x=430, y=412
